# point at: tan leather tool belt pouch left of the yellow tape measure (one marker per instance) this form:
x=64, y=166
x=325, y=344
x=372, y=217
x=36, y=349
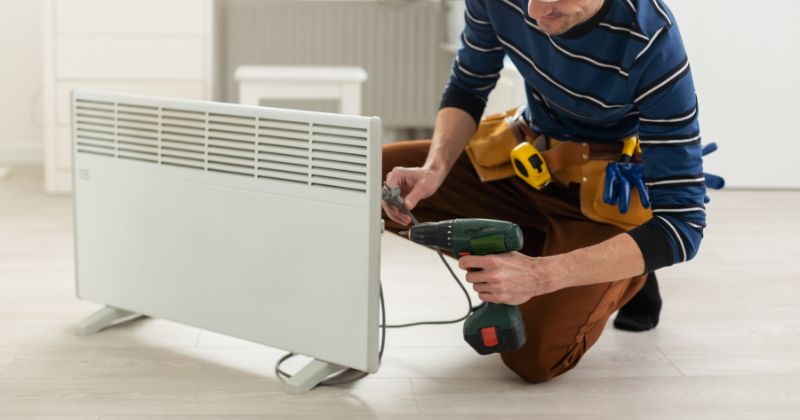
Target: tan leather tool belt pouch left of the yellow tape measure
x=489, y=148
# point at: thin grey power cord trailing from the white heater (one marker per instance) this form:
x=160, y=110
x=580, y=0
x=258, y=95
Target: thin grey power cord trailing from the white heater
x=391, y=196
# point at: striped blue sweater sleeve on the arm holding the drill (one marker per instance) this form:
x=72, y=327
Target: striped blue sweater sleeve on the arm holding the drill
x=671, y=153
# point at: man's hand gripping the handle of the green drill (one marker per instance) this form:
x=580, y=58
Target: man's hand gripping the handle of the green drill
x=511, y=278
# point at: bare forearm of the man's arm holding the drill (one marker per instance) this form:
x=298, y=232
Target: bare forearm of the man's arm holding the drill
x=614, y=259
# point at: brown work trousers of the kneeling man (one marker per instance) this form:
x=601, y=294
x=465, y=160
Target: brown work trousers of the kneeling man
x=563, y=325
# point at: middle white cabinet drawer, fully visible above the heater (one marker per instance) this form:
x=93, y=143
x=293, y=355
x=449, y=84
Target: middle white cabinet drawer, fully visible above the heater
x=130, y=58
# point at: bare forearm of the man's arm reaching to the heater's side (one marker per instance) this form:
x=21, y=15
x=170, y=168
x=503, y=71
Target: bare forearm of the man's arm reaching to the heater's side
x=453, y=129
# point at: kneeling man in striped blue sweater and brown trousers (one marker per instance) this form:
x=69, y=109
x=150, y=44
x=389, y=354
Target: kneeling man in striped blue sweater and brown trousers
x=596, y=72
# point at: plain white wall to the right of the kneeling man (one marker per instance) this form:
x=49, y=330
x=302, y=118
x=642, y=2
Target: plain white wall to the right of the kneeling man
x=745, y=57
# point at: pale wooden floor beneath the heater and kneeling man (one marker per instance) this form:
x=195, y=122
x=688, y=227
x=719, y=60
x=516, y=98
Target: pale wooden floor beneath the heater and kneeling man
x=728, y=346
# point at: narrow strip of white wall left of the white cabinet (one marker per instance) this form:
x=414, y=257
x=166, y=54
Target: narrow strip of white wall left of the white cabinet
x=20, y=80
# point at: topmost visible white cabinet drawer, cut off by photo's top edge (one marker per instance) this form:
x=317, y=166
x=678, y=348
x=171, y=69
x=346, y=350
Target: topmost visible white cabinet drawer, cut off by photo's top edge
x=144, y=17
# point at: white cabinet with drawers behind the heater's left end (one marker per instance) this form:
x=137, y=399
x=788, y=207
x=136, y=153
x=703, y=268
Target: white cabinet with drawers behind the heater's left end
x=150, y=47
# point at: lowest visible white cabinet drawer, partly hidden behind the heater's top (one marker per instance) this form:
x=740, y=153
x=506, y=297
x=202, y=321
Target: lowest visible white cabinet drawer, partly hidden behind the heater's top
x=186, y=90
